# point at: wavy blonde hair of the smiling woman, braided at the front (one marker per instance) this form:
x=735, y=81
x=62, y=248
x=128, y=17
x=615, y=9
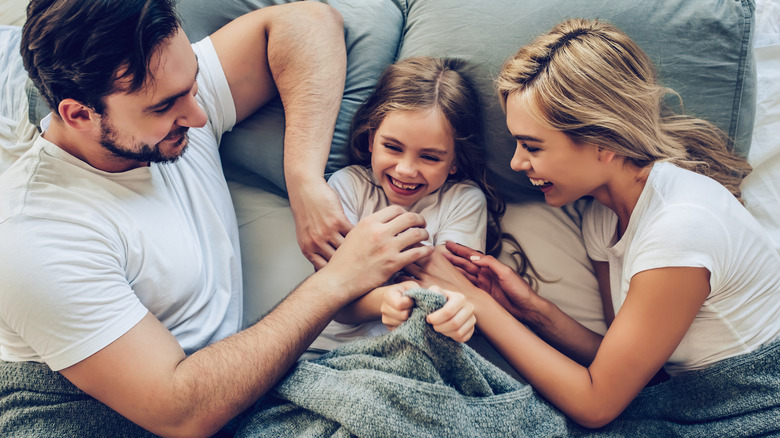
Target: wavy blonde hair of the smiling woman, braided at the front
x=589, y=80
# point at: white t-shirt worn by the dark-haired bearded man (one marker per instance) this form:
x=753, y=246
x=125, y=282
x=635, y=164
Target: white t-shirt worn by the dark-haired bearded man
x=86, y=253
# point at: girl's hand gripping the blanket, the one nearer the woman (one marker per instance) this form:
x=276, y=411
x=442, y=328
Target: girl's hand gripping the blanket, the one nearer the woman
x=456, y=318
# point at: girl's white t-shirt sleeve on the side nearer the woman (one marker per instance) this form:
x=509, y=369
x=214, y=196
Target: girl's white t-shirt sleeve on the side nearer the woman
x=464, y=217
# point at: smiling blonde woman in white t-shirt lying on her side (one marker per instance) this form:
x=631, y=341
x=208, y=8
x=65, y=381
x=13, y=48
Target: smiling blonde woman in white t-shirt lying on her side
x=689, y=279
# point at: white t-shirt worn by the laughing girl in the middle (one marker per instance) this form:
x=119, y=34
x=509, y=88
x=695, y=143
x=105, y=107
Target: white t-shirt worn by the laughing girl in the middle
x=456, y=212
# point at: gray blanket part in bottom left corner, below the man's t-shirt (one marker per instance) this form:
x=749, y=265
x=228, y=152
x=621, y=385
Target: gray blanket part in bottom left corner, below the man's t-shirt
x=38, y=402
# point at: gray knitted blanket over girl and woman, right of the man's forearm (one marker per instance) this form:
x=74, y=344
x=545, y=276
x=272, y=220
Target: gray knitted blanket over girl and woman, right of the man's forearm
x=415, y=382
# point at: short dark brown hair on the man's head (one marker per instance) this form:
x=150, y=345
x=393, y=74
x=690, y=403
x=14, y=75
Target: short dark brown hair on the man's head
x=76, y=48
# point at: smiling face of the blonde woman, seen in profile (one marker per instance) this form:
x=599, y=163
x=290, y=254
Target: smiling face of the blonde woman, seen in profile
x=562, y=169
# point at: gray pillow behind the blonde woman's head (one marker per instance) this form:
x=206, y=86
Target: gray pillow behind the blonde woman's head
x=702, y=49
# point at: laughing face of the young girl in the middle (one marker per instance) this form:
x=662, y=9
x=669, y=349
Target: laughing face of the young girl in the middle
x=412, y=154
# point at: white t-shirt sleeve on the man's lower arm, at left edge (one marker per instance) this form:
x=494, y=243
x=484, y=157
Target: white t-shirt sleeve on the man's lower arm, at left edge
x=53, y=286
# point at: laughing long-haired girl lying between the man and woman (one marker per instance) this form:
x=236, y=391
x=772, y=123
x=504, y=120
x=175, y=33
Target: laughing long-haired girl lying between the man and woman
x=416, y=142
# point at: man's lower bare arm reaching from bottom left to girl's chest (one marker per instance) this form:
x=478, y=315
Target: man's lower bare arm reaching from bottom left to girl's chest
x=145, y=376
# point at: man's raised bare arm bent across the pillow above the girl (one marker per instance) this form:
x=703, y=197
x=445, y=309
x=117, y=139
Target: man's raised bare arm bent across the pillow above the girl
x=298, y=50
